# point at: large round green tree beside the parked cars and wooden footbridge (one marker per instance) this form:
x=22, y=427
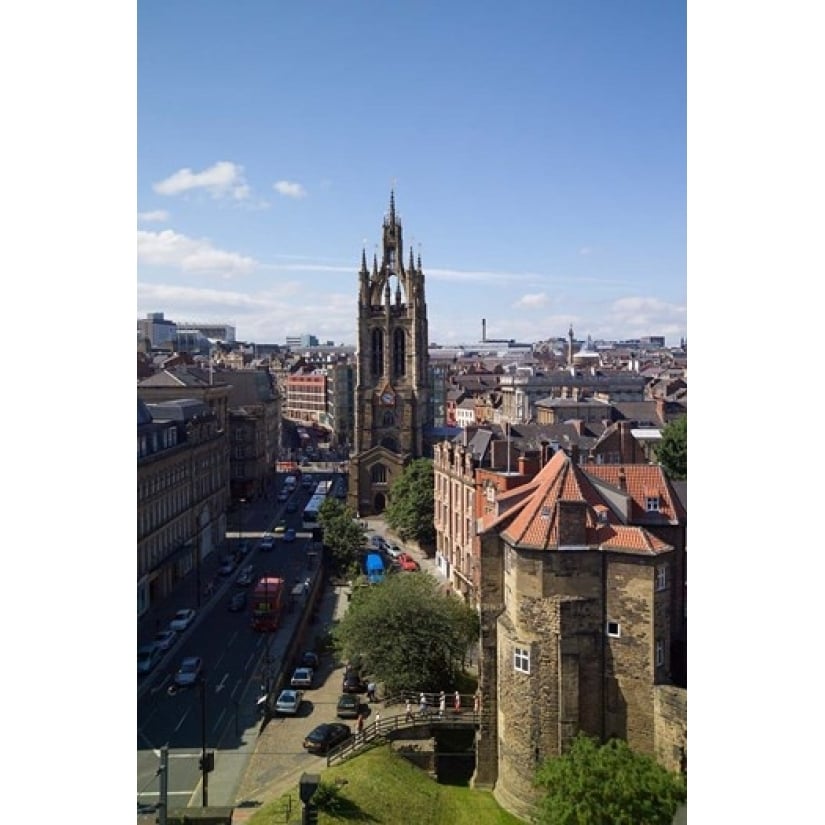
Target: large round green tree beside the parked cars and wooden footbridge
x=407, y=632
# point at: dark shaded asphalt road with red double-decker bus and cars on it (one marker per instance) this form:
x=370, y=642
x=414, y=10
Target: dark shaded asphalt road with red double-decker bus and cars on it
x=235, y=658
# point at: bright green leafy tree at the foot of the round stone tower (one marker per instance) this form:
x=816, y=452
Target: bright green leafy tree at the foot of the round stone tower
x=607, y=785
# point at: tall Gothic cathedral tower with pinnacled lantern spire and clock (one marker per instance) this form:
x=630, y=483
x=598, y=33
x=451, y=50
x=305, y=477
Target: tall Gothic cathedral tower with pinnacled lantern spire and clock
x=392, y=378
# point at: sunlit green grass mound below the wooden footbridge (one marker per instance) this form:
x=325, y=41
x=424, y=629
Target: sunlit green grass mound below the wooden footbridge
x=383, y=787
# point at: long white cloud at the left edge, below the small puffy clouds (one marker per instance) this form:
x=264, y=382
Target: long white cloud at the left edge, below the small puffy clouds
x=191, y=255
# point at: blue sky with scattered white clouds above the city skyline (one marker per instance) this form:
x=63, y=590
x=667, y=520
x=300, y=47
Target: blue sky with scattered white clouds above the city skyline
x=537, y=152
